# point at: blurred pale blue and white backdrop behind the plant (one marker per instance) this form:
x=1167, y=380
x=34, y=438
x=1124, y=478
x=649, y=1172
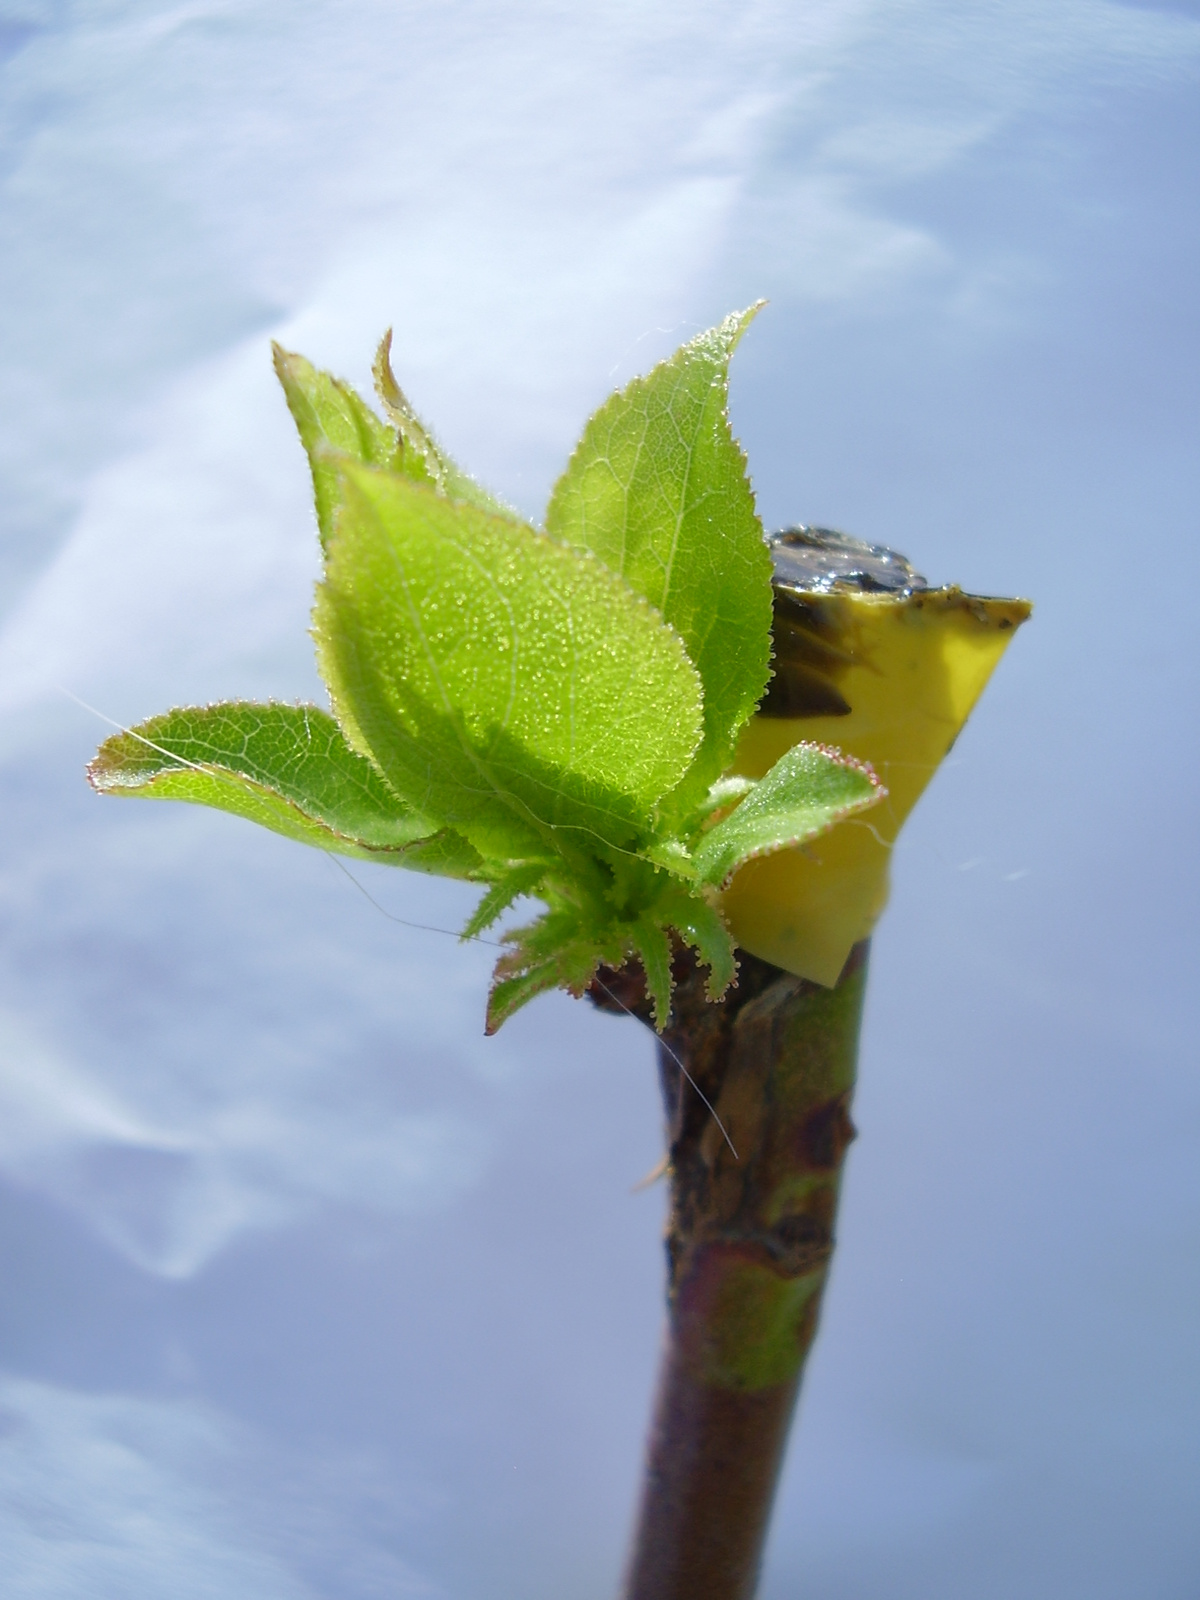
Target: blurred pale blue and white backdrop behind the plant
x=308, y=1290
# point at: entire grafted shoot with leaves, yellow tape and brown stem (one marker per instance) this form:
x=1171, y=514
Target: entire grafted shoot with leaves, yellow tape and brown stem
x=695, y=748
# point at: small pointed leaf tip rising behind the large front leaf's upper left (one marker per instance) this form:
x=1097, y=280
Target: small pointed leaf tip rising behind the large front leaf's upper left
x=332, y=422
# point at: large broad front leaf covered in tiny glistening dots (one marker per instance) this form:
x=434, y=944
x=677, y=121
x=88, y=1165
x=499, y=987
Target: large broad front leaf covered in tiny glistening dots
x=506, y=686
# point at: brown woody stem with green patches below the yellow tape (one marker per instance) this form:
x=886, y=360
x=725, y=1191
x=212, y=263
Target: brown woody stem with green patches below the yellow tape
x=748, y=1252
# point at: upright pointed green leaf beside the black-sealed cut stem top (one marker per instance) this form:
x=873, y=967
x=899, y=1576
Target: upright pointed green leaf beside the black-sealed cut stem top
x=658, y=490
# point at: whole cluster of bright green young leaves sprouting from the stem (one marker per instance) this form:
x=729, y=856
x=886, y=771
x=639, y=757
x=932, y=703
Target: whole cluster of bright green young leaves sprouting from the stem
x=546, y=713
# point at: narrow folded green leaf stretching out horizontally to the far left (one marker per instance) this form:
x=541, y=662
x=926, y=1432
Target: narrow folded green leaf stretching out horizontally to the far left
x=286, y=767
